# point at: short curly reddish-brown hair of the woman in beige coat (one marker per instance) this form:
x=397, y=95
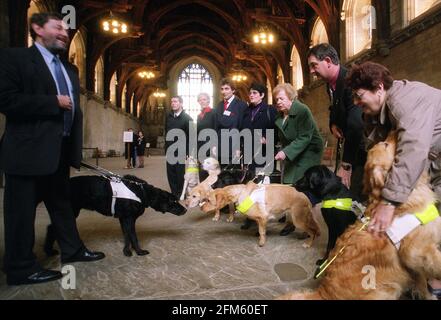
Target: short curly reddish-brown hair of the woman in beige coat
x=369, y=75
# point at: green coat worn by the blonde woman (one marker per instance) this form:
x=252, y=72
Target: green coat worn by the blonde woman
x=301, y=142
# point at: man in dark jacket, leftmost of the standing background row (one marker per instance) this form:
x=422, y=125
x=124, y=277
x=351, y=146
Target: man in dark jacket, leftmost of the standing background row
x=177, y=119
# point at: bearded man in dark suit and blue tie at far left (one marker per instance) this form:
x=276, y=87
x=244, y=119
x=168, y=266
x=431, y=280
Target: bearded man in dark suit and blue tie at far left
x=39, y=95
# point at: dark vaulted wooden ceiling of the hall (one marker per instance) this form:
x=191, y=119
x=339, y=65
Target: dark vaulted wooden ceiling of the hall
x=163, y=32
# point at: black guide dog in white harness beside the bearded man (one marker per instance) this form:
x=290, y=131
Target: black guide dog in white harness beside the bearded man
x=95, y=193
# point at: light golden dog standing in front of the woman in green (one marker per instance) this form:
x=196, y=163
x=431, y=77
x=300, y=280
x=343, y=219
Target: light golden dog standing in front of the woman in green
x=277, y=201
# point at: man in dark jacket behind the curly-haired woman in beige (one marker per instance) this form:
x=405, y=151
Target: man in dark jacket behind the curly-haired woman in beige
x=345, y=120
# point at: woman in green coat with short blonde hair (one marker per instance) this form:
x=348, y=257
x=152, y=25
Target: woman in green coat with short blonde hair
x=301, y=142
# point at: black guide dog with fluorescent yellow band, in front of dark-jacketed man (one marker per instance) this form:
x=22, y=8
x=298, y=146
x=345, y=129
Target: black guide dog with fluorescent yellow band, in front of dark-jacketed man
x=319, y=184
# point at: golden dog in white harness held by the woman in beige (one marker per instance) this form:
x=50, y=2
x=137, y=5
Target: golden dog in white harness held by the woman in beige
x=419, y=249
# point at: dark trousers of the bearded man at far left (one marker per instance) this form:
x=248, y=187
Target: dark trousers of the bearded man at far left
x=22, y=195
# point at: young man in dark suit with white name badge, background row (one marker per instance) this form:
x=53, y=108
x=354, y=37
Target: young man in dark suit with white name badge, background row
x=229, y=115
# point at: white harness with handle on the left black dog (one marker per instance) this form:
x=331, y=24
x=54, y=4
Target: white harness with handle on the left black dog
x=119, y=189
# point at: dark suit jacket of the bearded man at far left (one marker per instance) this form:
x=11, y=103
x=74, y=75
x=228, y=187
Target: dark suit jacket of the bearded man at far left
x=31, y=144
